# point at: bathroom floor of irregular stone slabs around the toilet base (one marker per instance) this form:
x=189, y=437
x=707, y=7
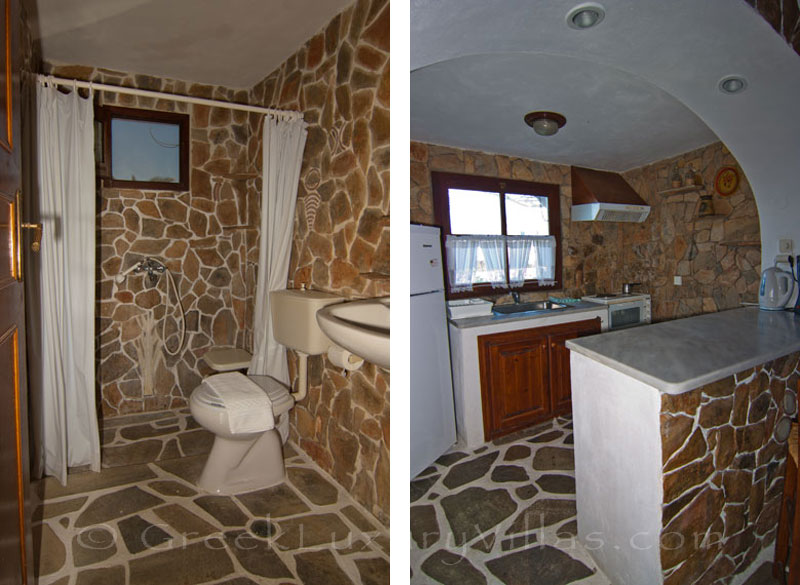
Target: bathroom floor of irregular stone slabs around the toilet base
x=147, y=524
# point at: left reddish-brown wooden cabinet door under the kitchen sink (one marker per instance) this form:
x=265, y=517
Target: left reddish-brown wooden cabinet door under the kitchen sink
x=514, y=380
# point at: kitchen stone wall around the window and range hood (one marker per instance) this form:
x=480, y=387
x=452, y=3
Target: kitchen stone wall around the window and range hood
x=718, y=257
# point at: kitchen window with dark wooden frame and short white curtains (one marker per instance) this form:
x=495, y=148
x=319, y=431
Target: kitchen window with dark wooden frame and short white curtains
x=500, y=235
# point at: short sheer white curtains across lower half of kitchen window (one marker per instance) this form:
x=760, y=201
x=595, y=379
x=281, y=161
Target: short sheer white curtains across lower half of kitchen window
x=472, y=259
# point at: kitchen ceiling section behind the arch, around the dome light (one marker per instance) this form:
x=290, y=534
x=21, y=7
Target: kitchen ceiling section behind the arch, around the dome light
x=615, y=121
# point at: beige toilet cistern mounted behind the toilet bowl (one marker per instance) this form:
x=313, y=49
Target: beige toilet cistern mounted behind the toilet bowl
x=294, y=319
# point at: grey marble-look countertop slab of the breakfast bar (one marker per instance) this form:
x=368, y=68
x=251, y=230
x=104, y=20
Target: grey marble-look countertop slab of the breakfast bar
x=676, y=356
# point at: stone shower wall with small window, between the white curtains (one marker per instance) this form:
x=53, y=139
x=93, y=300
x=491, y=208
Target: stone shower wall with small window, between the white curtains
x=194, y=232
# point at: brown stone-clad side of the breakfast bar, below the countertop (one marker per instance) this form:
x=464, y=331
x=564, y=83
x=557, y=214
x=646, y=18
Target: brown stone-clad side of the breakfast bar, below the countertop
x=723, y=473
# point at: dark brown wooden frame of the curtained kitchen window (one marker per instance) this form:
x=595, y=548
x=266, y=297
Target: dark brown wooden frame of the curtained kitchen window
x=443, y=182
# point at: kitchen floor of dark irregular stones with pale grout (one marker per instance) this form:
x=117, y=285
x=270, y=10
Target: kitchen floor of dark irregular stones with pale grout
x=505, y=513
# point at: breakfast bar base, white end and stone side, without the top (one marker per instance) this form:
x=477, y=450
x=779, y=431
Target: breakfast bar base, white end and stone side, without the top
x=679, y=489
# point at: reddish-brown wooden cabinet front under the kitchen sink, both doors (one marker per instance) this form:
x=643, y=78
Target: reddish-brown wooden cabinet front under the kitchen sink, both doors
x=525, y=375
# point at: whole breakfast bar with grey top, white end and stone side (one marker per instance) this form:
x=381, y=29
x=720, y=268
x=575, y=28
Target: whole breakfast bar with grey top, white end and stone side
x=679, y=451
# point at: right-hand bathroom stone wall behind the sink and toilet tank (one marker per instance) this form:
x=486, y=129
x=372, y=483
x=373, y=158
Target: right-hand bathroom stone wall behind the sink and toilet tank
x=340, y=80
